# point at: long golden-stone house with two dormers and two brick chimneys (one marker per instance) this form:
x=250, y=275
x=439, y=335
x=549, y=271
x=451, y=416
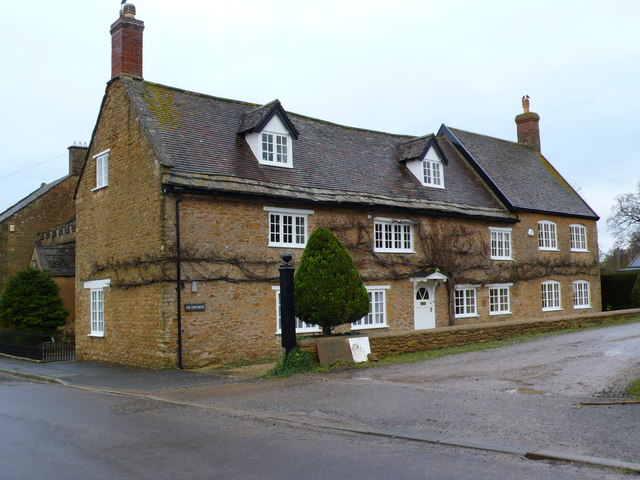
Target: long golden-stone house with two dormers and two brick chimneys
x=187, y=201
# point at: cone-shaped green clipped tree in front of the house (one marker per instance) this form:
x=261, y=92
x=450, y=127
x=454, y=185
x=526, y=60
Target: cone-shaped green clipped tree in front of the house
x=328, y=290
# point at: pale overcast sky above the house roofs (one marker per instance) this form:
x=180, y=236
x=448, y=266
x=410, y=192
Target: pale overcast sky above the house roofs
x=401, y=66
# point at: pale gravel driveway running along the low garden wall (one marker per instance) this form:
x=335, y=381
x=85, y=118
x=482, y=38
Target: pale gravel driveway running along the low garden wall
x=527, y=393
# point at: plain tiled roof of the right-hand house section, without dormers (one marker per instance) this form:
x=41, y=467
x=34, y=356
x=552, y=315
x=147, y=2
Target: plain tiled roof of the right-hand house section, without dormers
x=523, y=176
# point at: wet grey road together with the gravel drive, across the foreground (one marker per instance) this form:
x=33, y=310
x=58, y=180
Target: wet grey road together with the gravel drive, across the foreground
x=523, y=393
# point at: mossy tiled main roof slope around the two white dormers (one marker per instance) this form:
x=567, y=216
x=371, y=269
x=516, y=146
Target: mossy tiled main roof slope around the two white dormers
x=197, y=134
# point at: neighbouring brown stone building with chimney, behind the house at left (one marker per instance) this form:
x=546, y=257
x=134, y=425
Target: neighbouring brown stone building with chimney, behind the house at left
x=49, y=206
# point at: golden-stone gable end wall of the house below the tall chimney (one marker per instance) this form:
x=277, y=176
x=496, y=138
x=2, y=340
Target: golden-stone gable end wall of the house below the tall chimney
x=119, y=236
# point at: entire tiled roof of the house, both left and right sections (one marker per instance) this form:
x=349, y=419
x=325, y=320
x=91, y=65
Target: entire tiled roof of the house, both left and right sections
x=196, y=134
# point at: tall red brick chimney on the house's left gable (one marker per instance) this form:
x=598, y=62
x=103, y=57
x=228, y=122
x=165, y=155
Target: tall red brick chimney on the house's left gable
x=126, y=43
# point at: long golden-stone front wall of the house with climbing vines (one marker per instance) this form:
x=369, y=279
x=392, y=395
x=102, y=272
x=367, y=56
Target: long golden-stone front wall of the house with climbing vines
x=230, y=269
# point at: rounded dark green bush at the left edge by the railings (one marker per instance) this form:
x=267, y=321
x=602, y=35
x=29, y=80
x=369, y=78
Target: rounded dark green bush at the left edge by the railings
x=30, y=302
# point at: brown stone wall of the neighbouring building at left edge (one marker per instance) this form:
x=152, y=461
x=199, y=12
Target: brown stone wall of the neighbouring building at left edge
x=51, y=209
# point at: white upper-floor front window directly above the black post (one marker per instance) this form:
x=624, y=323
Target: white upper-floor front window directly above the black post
x=288, y=227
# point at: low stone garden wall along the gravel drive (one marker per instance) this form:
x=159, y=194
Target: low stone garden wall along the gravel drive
x=407, y=341
